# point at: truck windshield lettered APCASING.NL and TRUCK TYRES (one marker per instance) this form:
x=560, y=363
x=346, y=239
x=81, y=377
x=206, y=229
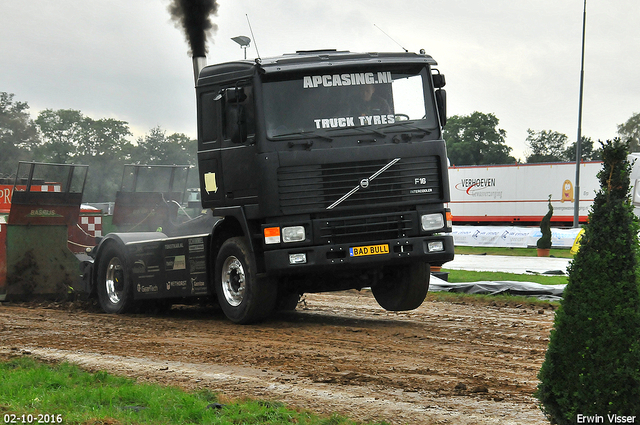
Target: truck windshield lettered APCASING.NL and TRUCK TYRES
x=351, y=101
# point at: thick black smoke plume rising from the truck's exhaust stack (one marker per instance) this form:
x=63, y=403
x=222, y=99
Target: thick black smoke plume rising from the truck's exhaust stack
x=194, y=17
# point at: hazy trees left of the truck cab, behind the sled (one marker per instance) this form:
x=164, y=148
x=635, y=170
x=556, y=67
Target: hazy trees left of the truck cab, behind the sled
x=67, y=136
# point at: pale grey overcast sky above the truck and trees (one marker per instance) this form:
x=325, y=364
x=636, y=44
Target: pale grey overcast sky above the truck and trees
x=518, y=59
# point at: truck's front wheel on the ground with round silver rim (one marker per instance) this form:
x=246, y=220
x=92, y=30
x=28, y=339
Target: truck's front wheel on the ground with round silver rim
x=243, y=296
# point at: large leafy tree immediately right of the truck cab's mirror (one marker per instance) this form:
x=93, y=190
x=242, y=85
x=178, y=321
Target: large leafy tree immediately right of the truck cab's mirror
x=476, y=139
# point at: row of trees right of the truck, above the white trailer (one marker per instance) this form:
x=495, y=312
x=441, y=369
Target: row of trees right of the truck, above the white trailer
x=476, y=139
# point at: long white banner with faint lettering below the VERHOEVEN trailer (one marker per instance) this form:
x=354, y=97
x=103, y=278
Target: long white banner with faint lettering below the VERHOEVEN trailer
x=510, y=236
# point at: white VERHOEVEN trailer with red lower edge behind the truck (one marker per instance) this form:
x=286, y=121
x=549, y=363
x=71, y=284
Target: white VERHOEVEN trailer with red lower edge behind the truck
x=518, y=193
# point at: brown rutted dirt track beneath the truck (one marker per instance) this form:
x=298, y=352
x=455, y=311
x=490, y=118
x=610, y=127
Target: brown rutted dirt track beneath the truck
x=441, y=364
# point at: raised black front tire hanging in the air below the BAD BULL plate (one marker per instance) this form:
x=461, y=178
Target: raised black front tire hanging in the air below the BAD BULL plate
x=403, y=287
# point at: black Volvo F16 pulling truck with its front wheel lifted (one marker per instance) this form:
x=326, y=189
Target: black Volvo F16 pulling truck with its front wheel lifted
x=319, y=171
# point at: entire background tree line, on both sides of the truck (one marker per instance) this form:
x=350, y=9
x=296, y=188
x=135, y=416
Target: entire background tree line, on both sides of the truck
x=67, y=136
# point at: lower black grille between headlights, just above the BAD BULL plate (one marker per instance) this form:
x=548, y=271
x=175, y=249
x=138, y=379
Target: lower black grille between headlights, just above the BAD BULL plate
x=367, y=228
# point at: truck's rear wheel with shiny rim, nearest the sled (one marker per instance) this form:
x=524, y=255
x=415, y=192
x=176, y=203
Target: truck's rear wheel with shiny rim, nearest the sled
x=115, y=293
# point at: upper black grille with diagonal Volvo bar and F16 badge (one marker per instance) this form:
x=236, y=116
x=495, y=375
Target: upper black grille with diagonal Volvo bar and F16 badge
x=309, y=188
